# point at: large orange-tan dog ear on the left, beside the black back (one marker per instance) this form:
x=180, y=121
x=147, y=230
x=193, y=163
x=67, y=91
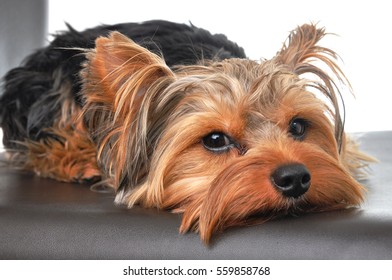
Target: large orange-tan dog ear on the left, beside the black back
x=122, y=84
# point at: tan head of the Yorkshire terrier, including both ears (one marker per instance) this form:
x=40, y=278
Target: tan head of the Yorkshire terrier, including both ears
x=223, y=142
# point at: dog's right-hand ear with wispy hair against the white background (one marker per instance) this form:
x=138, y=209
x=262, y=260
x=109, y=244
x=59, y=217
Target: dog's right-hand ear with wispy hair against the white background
x=302, y=54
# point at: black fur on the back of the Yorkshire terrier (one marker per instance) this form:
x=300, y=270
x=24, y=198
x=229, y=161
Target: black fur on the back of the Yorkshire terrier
x=30, y=99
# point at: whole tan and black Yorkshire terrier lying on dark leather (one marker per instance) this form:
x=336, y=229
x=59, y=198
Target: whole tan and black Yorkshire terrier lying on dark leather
x=173, y=117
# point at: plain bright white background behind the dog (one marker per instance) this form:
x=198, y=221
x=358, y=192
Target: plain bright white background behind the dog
x=260, y=27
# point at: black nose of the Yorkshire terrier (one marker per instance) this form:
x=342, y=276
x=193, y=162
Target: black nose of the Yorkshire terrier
x=293, y=180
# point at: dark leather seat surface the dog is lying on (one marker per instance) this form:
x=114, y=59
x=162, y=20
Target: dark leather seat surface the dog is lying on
x=45, y=219
